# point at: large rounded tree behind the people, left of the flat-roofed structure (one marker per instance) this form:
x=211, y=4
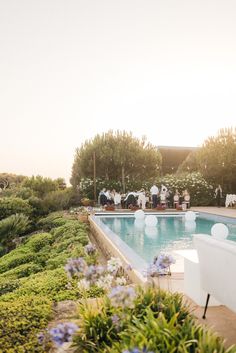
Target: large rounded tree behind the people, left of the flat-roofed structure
x=119, y=155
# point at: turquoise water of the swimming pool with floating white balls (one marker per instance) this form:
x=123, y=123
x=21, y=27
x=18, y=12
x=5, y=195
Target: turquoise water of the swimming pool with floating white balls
x=171, y=233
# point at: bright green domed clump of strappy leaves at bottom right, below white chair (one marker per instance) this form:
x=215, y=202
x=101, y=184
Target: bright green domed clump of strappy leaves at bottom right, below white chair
x=158, y=334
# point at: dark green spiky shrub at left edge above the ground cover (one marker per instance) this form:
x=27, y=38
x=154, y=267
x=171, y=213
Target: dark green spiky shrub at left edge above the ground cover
x=11, y=228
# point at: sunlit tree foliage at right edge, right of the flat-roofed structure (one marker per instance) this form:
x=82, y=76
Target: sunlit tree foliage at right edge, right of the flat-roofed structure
x=216, y=159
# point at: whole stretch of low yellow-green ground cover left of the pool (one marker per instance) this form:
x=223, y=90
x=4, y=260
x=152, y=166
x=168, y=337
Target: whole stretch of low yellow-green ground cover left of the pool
x=32, y=278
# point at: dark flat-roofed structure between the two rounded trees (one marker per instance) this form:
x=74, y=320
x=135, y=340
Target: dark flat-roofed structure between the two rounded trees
x=173, y=156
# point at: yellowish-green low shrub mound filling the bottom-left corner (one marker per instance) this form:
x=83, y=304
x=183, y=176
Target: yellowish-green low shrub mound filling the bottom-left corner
x=20, y=321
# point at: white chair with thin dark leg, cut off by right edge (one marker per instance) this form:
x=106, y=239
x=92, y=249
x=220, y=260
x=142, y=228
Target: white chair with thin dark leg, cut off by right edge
x=217, y=261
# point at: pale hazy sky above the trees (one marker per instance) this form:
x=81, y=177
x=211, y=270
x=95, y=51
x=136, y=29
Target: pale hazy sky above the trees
x=71, y=69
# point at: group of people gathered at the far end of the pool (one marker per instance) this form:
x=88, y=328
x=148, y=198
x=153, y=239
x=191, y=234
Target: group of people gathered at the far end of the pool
x=159, y=197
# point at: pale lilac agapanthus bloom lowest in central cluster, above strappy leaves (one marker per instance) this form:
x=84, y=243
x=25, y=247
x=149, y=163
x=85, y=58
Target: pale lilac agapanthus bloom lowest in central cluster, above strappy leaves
x=122, y=296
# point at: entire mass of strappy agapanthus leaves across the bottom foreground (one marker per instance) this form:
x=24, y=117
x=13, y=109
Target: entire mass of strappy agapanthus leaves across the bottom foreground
x=158, y=321
